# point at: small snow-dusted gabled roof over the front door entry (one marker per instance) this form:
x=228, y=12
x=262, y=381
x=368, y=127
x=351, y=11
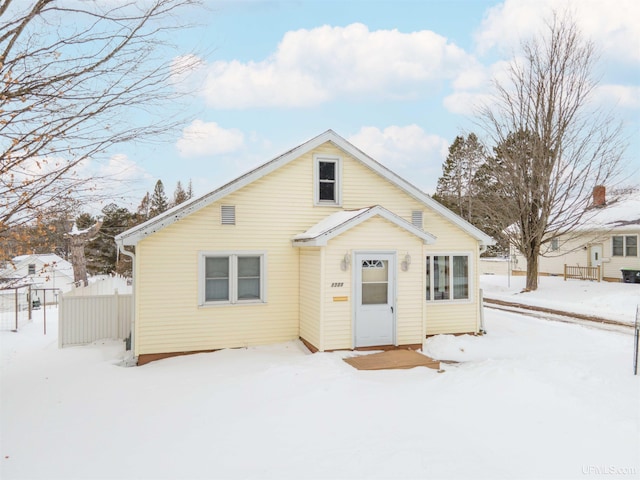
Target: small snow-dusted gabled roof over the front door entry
x=340, y=222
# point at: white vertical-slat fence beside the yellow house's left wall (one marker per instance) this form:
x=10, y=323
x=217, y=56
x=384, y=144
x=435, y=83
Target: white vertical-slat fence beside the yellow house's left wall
x=85, y=319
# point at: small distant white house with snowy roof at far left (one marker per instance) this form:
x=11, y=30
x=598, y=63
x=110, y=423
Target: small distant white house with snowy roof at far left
x=39, y=270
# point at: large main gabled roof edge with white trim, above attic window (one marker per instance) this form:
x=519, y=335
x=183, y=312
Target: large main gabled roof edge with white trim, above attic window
x=137, y=233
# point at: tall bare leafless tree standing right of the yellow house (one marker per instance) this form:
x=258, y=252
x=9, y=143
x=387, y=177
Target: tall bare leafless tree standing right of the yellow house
x=554, y=145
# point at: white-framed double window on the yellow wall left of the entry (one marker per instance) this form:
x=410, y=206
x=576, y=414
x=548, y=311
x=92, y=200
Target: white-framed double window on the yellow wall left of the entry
x=231, y=278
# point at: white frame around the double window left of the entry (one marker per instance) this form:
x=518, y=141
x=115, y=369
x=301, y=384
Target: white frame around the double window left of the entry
x=233, y=277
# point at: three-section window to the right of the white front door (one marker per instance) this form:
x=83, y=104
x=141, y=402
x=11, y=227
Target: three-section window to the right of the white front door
x=447, y=277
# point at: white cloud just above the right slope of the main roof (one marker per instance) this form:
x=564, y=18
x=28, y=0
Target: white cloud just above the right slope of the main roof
x=409, y=151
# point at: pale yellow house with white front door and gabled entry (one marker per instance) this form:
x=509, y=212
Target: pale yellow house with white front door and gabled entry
x=322, y=243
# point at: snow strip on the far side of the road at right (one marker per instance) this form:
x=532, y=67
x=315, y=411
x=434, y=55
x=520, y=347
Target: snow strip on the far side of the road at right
x=614, y=301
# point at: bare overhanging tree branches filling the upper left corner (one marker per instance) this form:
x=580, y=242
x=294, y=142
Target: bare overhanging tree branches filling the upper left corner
x=76, y=79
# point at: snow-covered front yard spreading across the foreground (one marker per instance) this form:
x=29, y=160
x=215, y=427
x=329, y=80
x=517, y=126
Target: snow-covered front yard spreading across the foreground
x=531, y=399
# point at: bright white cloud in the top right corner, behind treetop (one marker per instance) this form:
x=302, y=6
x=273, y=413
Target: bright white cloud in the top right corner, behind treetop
x=611, y=25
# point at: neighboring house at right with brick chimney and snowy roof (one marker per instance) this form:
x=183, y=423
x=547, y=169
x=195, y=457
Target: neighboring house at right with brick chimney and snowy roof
x=608, y=236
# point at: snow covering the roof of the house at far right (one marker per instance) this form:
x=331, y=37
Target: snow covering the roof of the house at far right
x=622, y=213
